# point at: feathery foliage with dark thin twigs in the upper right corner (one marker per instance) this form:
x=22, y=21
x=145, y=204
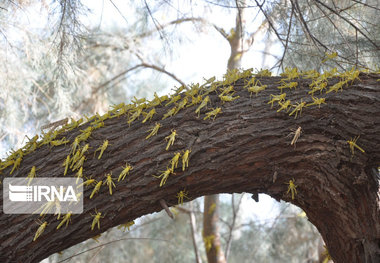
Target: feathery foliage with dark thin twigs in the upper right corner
x=337, y=34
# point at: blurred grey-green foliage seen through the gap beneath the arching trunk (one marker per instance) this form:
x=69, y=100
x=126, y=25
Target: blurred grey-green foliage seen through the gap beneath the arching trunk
x=286, y=236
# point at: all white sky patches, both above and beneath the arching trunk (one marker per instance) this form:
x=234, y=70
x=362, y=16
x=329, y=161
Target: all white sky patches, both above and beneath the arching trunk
x=201, y=55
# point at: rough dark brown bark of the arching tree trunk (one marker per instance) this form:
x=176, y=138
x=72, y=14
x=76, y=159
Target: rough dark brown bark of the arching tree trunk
x=245, y=149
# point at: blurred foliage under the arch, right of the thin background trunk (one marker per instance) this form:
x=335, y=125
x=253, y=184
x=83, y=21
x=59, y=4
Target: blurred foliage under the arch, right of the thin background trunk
x=285, y=237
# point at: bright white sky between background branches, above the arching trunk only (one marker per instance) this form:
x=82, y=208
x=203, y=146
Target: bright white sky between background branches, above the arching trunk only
x=205, y=54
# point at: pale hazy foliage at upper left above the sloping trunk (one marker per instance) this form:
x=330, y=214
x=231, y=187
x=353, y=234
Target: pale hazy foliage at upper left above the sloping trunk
x=50, y=74
